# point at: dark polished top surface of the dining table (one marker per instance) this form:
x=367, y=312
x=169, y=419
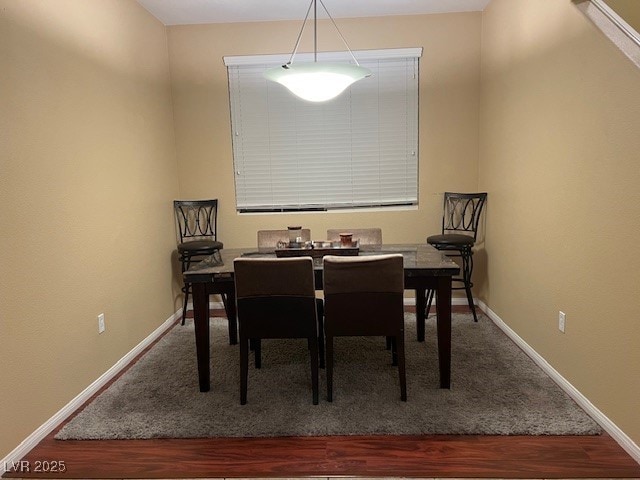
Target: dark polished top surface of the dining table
x=419, y=260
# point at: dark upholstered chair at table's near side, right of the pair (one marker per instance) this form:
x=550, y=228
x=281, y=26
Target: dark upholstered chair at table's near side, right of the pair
x=364, y=297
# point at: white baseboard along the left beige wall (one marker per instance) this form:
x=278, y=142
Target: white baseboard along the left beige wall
x=45, y=429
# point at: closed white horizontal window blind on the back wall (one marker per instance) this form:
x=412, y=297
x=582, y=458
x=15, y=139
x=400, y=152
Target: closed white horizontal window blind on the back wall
x=357, y=150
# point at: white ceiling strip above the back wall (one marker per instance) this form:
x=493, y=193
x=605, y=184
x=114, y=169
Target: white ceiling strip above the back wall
x=184, y=12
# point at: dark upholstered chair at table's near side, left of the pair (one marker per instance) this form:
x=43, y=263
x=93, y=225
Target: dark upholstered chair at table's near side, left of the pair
x=276, y=298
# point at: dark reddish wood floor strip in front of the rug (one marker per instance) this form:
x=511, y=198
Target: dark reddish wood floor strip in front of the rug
x=356, y=456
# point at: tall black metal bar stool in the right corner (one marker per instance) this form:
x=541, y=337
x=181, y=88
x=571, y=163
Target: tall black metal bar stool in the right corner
x=460, y=220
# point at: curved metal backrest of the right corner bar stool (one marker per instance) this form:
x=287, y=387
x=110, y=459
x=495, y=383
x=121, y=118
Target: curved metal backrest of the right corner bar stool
x=461, y=212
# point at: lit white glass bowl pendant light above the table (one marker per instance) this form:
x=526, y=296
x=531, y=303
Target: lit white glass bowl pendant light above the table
x=317, y=81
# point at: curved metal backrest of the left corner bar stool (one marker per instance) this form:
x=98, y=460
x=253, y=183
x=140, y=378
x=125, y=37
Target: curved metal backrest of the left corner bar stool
x=196, y=219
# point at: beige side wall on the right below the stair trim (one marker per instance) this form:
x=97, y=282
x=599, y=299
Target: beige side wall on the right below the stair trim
x=560, y=116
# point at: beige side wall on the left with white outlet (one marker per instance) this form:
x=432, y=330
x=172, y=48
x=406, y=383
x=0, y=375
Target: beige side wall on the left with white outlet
x=87, y=174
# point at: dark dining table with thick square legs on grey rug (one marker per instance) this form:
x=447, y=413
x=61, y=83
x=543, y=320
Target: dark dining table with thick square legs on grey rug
x=425, y=268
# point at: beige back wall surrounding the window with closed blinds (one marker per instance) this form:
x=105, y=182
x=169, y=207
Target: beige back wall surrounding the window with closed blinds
x=449, y=90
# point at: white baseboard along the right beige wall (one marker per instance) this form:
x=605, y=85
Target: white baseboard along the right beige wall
x=611, y=428
